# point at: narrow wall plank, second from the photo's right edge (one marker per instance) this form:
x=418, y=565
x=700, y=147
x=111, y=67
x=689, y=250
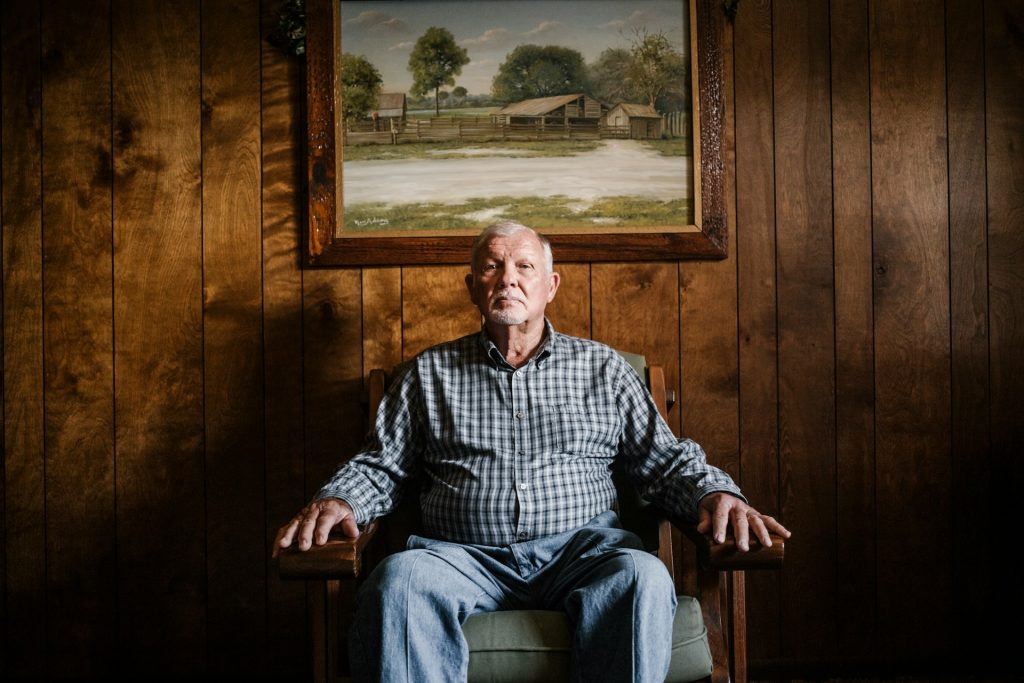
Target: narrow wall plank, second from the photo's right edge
x=969, y=318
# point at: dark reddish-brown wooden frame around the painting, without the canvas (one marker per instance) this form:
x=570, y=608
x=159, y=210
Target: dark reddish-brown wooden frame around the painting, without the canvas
x=706, y=239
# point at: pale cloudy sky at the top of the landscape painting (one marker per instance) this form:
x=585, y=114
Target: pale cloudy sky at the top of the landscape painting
x=385, y=32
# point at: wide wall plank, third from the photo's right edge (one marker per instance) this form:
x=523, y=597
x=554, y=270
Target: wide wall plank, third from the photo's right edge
x=912, y=328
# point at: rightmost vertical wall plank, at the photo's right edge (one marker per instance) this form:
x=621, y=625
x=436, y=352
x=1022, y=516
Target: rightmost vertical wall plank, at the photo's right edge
x=1005, y=127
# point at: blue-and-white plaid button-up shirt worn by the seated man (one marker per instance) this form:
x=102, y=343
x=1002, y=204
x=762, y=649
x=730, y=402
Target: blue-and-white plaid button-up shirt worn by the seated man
x=516, y=454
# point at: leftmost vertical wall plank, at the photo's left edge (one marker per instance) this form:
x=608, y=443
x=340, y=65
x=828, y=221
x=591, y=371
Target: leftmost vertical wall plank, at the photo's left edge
x=24, y=571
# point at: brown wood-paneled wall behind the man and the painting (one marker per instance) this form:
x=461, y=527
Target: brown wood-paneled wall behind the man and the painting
x=176, y=387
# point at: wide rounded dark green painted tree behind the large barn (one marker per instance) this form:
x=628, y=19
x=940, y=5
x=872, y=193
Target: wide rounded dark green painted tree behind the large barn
x=532, y=71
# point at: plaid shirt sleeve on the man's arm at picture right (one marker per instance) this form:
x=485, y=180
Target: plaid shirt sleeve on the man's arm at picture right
x=671, y=473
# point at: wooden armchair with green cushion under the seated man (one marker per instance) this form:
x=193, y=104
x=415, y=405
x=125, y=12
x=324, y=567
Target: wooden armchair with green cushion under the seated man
x=709, y=636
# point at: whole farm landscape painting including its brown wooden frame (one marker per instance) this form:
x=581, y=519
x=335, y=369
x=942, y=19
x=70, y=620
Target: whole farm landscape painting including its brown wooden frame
x=598, y=122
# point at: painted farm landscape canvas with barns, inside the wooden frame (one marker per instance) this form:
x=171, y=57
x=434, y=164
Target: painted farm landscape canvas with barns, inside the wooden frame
x=571, y=116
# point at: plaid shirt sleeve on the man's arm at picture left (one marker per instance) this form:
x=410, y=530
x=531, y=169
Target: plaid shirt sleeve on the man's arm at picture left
x=374, y=481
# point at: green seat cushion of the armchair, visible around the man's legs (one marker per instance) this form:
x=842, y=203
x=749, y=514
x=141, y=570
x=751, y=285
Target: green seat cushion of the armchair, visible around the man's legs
x=535, y=646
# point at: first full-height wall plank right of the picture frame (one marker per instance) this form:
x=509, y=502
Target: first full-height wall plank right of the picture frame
x=755, y=253
